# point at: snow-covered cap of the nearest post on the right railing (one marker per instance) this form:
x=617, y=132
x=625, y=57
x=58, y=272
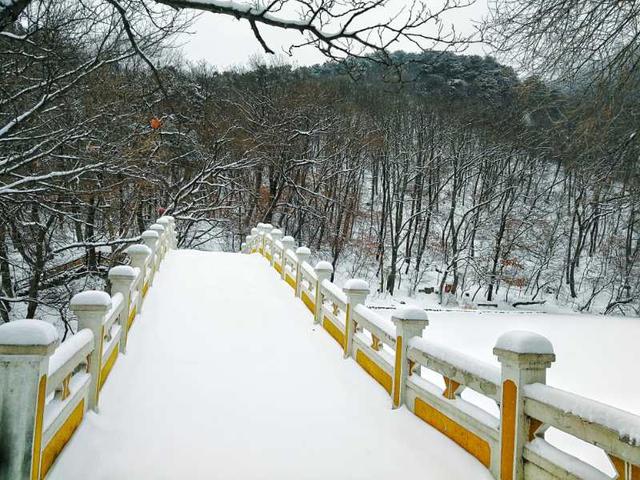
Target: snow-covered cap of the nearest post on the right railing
x=524, y=347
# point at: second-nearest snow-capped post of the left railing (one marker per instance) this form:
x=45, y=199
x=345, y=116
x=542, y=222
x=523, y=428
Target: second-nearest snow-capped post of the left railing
x=90, y=308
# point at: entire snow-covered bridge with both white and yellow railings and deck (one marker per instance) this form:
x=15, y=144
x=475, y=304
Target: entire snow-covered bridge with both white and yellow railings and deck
x=236, y=370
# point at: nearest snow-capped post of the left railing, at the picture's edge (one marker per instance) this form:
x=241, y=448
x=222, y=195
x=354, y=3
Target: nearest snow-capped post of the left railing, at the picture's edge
x=25, y=347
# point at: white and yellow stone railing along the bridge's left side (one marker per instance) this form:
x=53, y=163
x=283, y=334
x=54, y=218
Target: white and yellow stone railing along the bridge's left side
x=47, y=387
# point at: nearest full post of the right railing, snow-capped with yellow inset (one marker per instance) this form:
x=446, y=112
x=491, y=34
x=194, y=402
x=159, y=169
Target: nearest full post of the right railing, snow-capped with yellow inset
x=524, y=357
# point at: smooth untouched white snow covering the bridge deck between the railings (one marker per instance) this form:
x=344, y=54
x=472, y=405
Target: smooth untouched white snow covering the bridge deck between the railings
x=226, y=377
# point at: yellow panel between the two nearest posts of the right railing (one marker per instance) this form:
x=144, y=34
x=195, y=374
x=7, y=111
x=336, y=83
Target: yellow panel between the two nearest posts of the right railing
x=472, y=443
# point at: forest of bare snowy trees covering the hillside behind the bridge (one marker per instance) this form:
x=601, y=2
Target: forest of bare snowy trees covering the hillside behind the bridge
x=457, y=177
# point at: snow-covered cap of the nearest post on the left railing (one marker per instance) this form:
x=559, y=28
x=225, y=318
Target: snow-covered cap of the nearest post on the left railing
x=28, y=337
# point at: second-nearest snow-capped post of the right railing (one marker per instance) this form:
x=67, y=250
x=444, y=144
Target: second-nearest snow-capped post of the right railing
x=410, y=322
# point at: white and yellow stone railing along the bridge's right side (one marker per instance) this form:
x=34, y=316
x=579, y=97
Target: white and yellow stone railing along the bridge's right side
x=394, y=353
